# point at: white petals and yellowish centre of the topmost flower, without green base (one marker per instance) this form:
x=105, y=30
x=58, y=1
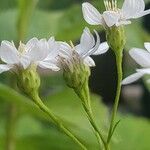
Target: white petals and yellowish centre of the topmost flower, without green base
x=131, y=9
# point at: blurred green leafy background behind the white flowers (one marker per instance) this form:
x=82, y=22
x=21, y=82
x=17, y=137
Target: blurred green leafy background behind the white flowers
x=23, y=126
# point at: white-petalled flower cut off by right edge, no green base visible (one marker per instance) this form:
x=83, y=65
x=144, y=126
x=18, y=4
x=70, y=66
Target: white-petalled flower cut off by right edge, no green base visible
x=142, y=57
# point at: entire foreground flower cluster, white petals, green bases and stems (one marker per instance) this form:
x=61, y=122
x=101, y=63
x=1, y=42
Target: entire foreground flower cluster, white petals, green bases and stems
x=75, y=61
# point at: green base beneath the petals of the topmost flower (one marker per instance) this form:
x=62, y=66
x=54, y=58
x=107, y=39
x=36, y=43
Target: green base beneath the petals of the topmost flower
x=116, y=38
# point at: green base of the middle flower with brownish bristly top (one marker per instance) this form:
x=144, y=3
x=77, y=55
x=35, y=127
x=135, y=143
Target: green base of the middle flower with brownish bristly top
x=76, y=73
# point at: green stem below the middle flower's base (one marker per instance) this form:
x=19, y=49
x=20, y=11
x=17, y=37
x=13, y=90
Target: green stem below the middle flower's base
x=84, y=95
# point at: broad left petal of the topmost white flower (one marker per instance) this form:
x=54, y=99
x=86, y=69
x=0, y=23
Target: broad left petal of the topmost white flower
x=91, y=14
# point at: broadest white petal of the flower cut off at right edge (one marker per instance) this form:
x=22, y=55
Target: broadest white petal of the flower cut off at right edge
x=141, y=56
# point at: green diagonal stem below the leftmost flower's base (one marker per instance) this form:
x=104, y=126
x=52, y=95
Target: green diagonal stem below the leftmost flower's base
x=57, y=122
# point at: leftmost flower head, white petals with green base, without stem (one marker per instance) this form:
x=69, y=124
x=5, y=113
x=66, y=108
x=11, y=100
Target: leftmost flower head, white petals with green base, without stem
x=26, y=59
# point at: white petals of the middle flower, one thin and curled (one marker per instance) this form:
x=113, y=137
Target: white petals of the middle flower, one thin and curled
x=81, y=52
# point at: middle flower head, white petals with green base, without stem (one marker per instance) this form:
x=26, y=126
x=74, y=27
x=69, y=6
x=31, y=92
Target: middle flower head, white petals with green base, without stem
x=76, y=60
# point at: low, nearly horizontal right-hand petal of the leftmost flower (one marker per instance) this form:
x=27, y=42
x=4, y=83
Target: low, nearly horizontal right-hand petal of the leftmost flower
x=47, y=65
